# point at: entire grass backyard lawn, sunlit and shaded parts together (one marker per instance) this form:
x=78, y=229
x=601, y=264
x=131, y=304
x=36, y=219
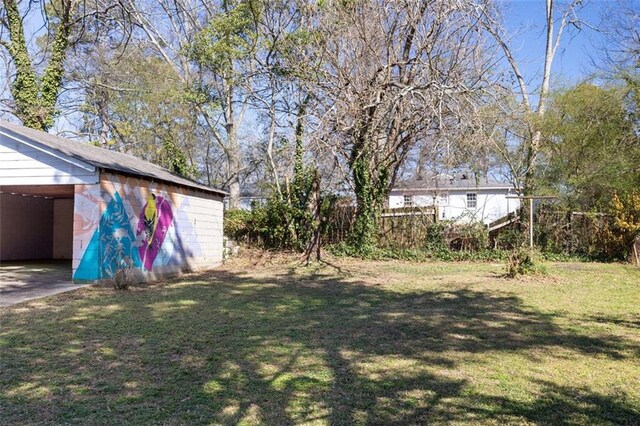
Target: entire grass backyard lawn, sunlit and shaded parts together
x=261, y=341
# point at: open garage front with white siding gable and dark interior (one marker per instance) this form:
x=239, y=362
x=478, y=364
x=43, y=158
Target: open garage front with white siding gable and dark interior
x=31, y=171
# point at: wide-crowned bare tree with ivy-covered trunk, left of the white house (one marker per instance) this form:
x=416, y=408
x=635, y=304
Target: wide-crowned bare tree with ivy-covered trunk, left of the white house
x=395, y=72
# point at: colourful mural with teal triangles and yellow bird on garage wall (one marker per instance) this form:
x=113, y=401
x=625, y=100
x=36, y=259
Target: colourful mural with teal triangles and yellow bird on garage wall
x=137, y=227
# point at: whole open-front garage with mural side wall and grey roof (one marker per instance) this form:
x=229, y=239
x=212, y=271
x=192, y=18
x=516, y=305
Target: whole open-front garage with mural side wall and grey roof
x=101, y=210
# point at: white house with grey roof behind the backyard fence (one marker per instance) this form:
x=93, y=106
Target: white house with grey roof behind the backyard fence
x=462, y=198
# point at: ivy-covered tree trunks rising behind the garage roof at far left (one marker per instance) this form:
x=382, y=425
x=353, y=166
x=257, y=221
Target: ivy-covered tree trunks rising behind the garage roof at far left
x=36, y=56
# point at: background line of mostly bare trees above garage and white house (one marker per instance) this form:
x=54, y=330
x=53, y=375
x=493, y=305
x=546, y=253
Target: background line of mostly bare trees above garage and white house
x=316, y=100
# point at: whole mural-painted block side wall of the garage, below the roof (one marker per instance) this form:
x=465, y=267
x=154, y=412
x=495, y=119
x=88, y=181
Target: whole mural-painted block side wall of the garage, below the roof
x=185, y=235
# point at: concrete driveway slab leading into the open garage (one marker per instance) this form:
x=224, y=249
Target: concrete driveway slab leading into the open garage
x=22, y=281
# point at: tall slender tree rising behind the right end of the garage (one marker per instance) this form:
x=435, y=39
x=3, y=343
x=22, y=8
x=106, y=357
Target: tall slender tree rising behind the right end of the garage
x=209, y=46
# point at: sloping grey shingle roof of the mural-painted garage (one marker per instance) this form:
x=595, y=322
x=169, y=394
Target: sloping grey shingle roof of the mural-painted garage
x=100, y=157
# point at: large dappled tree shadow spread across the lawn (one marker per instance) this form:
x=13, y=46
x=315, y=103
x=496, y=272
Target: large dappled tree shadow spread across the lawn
x=228, y=347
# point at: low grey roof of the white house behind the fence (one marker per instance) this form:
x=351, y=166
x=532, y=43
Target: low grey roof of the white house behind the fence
x=460, y=182
